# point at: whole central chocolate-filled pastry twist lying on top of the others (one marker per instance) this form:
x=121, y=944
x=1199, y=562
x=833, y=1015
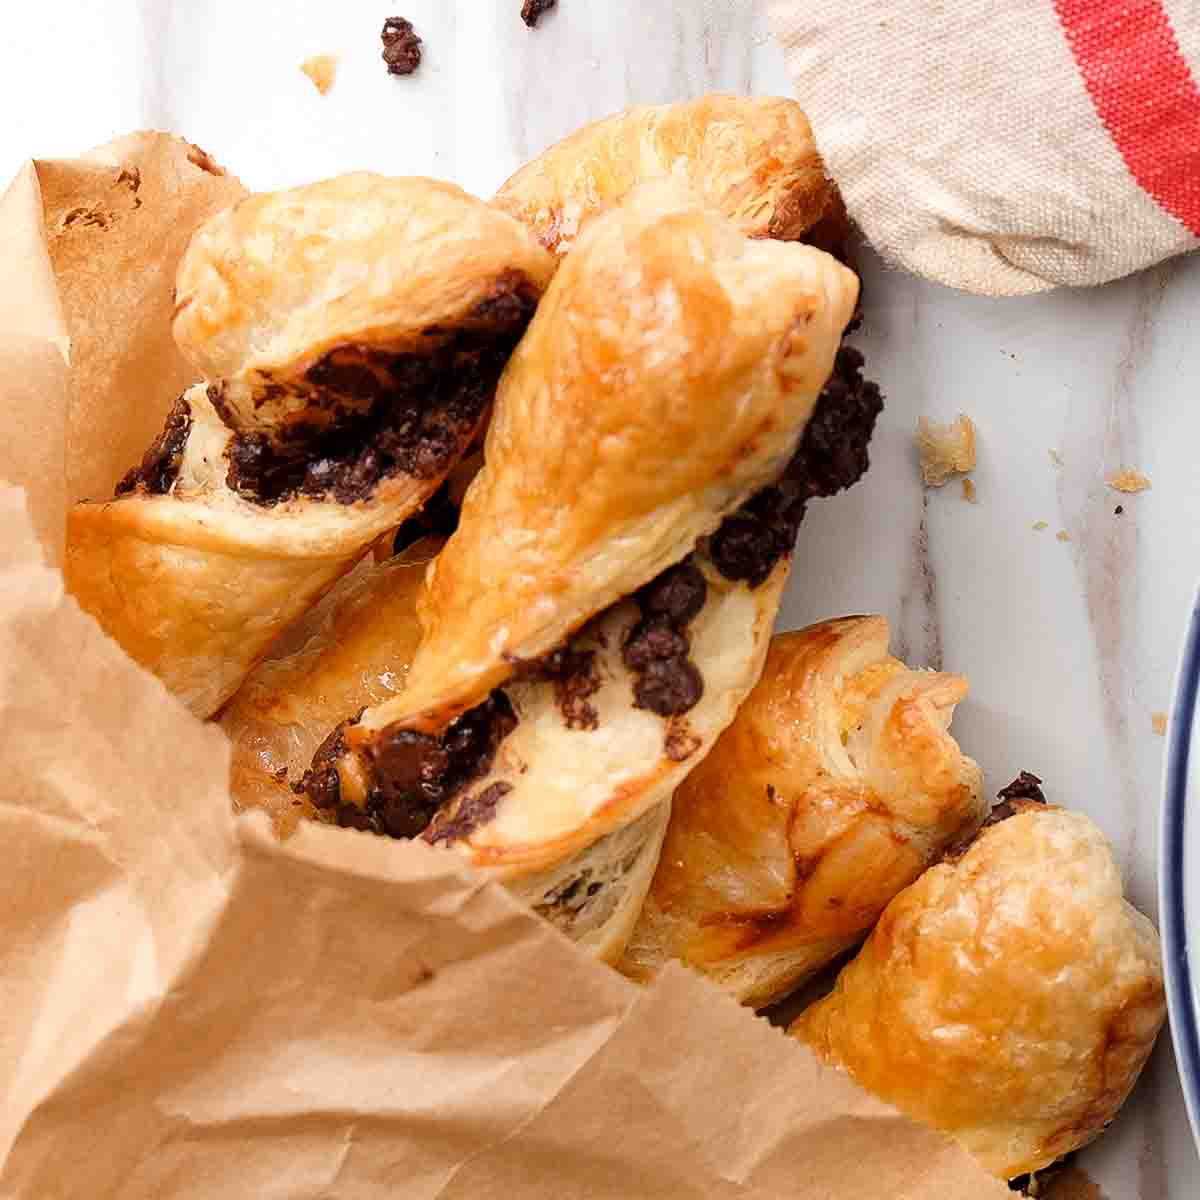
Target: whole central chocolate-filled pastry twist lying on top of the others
x=608, y=598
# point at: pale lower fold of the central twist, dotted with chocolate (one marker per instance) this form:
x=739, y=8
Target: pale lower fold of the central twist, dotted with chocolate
x=560, y=784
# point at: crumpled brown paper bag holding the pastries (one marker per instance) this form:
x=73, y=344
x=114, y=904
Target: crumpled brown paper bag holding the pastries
x=194, y=1010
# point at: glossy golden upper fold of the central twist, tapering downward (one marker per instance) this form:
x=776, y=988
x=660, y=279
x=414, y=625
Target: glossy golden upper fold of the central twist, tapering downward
x=667, y=377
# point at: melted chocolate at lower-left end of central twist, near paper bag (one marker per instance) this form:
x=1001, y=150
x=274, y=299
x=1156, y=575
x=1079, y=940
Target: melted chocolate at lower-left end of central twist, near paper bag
x=415, y=775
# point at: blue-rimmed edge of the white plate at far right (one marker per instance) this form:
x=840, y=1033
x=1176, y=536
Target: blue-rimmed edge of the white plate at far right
x=1181, y=997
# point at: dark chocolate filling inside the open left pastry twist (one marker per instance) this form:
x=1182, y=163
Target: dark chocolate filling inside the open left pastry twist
x=422, y=409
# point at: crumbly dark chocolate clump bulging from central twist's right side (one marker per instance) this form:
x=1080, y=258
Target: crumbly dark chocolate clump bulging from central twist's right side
x=832, y=455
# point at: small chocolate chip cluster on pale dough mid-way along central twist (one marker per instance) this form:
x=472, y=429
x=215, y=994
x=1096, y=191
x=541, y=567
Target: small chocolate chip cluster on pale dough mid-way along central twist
x=658, y=647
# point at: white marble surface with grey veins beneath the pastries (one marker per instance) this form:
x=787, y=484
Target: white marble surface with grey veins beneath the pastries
x=1070, y=646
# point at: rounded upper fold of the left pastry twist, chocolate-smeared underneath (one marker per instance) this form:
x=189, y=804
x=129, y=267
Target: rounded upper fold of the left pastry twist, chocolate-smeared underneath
x=311, y=304
